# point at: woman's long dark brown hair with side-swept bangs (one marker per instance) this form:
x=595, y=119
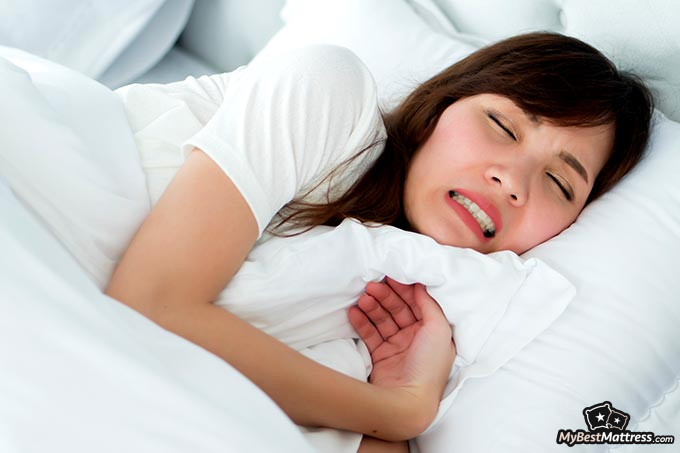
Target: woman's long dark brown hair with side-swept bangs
x=551, y=76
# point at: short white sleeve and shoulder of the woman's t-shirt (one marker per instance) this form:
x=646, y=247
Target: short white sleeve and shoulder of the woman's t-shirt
x=286, y=122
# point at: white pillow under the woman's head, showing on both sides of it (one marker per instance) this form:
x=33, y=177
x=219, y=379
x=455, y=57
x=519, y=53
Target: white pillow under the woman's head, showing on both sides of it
x=616, y=342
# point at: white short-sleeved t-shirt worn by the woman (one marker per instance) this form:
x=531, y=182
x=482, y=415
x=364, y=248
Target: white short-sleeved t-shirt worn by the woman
x=277, y=127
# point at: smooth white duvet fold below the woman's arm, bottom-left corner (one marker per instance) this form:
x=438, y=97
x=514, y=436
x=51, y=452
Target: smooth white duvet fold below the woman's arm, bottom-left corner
x=82, y=372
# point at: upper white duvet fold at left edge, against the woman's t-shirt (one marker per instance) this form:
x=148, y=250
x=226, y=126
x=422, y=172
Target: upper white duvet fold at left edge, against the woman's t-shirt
x=66, y=150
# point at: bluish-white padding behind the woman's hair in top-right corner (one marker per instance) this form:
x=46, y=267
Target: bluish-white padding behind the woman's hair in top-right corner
x=638, y=37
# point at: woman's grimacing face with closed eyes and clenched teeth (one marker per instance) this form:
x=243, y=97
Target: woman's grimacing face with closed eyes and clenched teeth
x=491, y=177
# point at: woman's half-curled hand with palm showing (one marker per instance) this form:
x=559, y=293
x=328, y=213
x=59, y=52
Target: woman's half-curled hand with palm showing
x=408, y=337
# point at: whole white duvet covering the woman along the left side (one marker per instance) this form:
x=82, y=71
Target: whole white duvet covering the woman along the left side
x=80, y=371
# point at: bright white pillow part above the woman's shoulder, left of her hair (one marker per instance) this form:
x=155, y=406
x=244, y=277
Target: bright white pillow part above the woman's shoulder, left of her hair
x=397, y=46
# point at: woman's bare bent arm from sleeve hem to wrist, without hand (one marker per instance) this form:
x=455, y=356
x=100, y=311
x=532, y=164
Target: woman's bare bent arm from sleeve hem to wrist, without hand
x=186, y=251
